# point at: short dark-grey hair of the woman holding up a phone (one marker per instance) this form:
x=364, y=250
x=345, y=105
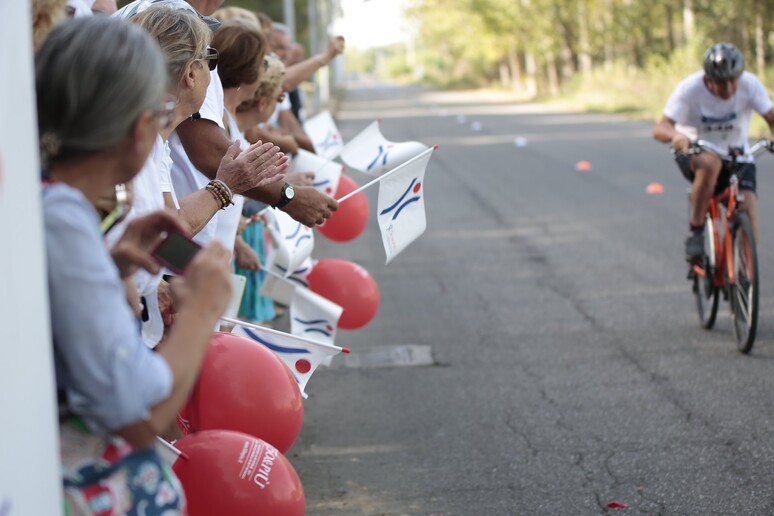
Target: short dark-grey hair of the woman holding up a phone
x=94, y=77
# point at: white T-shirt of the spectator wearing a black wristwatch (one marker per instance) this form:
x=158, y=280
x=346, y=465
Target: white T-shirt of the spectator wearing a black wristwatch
x=186, y=178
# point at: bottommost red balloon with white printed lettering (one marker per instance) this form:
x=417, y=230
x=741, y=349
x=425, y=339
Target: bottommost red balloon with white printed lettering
x=232, y=473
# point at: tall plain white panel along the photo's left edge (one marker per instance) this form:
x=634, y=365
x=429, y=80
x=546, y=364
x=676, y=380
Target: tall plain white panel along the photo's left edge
x=29, y=451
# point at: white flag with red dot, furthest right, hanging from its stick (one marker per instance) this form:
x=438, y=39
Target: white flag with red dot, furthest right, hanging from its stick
x=401, y=205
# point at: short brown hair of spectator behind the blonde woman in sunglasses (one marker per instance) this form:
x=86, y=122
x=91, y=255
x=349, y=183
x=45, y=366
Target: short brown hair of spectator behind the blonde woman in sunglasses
x=242, y=47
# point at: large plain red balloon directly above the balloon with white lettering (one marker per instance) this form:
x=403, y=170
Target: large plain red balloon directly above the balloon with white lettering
x=245, y=387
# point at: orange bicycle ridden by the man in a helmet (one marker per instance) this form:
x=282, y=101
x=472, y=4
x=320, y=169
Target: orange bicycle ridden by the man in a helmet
x=730, y=262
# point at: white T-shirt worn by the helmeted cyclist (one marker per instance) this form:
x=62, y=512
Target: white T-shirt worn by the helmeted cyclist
x=721, y=122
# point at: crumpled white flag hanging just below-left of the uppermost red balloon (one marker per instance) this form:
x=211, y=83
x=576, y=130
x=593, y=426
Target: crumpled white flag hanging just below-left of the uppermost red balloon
x=292, y=242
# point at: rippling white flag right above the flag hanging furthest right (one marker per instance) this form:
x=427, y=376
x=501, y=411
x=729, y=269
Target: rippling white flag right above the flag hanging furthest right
x=371, y=153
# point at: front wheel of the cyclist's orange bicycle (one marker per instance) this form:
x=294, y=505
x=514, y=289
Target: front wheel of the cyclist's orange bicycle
x=743, y=292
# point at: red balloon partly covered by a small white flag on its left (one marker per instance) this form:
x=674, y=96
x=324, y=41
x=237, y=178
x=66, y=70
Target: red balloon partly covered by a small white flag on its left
x=349, y=285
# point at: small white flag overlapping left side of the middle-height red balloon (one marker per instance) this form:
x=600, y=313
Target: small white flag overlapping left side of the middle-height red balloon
x=314, y=317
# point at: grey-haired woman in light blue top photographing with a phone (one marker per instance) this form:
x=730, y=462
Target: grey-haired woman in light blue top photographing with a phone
x=101, y=85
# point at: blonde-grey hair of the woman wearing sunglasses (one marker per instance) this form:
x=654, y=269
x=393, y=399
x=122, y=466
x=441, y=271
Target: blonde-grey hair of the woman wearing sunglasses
x=182, y=36
